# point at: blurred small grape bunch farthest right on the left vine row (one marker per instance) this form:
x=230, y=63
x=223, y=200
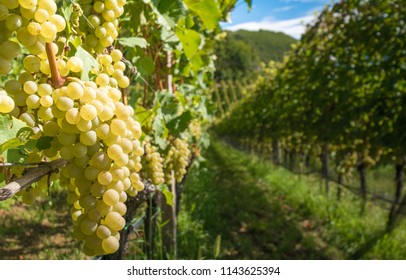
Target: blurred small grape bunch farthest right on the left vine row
x=177, y=159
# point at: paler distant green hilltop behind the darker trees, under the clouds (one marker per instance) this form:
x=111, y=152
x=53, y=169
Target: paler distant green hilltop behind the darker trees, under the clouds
x=268, y=45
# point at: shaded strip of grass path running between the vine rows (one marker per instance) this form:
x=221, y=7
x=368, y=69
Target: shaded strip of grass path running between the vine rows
x=254, y=221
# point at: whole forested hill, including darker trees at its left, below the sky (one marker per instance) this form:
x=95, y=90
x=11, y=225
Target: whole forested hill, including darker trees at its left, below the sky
x=241, y=52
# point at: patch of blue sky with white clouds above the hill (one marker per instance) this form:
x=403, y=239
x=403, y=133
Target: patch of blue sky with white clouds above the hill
x=288, y=16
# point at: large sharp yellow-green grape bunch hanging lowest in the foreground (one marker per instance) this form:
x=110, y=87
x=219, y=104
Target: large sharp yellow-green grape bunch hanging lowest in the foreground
x=97, y=135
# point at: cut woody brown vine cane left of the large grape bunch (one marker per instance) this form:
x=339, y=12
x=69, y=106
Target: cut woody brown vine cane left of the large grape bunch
x=31, y=176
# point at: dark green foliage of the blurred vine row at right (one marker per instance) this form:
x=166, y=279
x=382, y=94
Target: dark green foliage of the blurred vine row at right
x=339, y=97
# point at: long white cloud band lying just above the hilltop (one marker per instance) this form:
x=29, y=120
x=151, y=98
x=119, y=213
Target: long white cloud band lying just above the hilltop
x=293, y=27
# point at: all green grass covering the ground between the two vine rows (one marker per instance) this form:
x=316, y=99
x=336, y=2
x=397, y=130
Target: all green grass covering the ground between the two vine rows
x=266, y=212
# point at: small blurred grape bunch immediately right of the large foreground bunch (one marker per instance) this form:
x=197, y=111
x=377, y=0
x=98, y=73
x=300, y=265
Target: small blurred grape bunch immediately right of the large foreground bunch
x=152, y=163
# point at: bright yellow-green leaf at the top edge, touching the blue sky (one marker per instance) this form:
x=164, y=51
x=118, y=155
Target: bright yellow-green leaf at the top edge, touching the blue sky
x=207, y=10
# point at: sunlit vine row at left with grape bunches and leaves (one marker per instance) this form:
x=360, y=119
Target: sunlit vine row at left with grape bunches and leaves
x=108, y=99
